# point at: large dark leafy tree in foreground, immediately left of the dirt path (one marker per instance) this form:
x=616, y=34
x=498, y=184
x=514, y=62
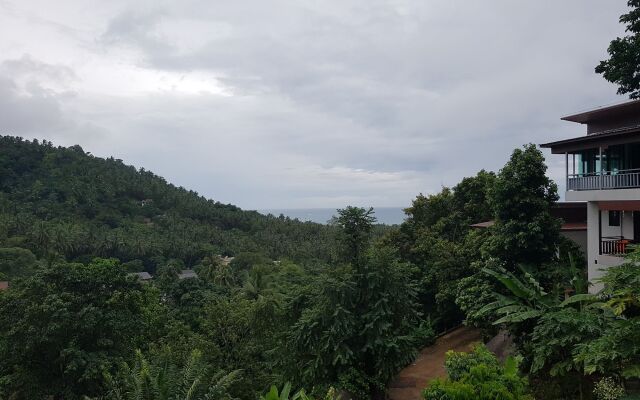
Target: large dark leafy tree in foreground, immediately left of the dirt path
x=362, y=319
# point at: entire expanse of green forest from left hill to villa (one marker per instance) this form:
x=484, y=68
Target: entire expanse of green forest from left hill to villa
x=335, y=309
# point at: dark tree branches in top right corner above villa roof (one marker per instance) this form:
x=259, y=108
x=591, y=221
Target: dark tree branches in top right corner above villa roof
x=623, y=65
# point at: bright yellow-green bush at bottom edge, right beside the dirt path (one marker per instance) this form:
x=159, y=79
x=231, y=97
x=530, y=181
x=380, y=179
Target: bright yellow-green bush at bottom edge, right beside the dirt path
x=479, y=376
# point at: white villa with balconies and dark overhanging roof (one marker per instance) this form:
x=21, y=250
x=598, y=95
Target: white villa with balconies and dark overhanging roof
x=603, y=170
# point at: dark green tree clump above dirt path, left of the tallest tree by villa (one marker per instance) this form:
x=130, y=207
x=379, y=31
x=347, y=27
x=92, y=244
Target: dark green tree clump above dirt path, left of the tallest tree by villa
x=438, y=240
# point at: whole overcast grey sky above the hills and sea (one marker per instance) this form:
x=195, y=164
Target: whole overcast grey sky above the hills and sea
x=294, y=104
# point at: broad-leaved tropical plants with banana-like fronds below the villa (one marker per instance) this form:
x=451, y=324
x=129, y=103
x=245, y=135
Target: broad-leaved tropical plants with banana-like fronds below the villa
x=580, y=335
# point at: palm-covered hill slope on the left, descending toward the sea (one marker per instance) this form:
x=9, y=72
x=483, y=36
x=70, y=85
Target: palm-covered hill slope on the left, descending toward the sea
x=66, y=202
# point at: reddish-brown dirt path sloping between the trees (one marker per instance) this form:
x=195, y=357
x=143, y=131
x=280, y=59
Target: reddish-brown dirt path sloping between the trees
x=430, y=364
